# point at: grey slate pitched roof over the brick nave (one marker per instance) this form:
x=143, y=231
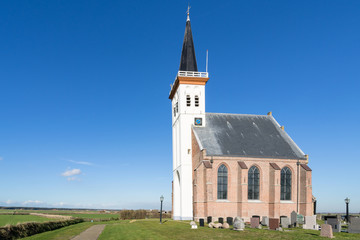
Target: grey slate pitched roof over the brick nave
x=245, y=135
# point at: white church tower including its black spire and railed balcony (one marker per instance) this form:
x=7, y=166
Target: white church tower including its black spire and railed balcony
x=188, y=108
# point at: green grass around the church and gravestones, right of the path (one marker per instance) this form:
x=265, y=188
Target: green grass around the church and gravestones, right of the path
x=151, y=229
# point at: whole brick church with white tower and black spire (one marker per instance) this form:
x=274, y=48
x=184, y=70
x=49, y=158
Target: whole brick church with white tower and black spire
x=228, y=165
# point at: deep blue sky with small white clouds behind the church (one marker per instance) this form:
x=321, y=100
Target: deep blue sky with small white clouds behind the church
x=85, y=119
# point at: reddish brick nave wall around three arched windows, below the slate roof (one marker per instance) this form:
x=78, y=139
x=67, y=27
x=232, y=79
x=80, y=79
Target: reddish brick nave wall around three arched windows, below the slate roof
x=205, y=202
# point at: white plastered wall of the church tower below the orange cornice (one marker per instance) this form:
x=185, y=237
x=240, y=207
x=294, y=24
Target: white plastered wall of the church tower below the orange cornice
x=182, y=162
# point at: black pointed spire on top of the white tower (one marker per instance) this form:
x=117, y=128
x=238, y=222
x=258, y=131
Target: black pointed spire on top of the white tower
x=188, y=59
